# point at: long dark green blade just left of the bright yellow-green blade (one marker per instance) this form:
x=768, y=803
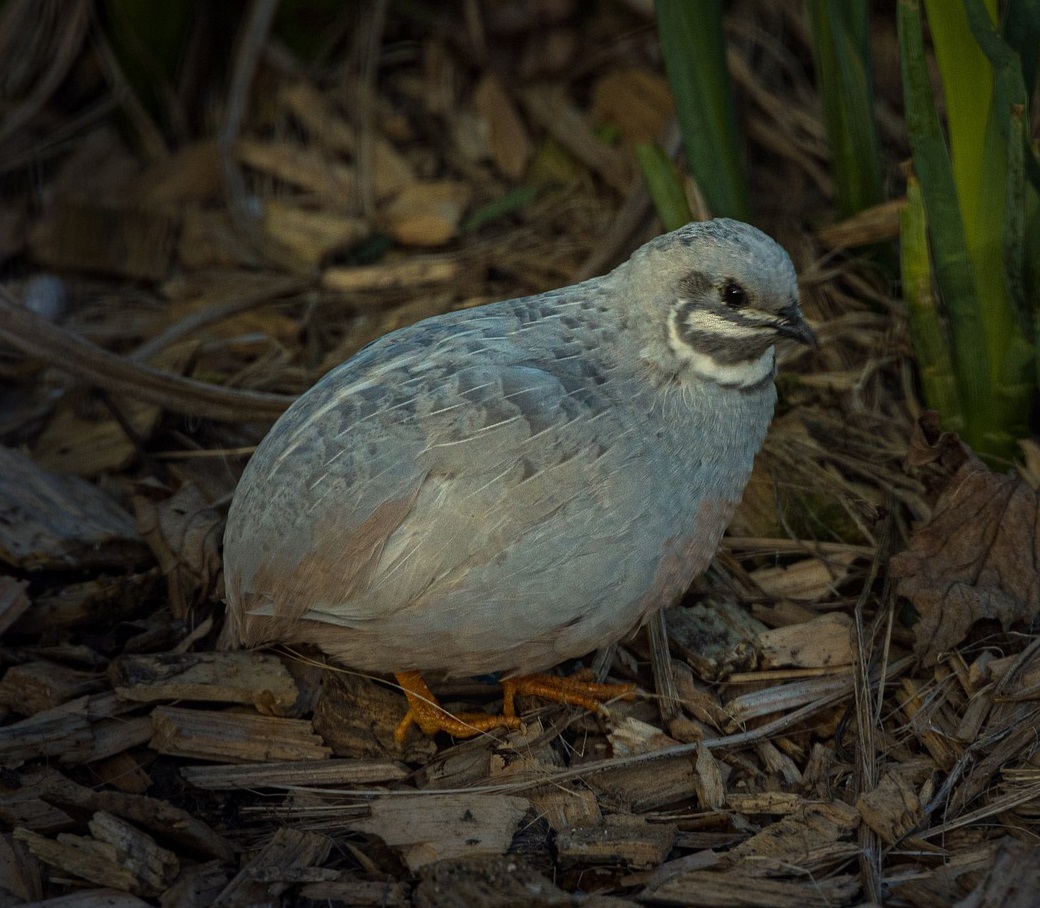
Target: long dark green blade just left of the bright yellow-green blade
x=953, y=267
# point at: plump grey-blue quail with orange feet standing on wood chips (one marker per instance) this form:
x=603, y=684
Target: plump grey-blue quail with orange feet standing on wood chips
x=504, y=488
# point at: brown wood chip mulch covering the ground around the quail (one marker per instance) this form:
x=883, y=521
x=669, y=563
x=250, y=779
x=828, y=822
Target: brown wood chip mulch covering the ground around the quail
x=844, y=712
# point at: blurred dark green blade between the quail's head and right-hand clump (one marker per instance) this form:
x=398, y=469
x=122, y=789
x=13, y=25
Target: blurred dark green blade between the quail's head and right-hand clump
x=842, y=51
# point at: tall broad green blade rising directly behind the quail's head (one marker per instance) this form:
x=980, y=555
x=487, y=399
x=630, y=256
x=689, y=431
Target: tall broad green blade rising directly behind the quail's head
x=694, y=48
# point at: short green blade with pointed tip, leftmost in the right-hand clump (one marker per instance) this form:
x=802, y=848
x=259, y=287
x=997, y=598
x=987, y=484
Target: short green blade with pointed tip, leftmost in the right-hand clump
x=931, y=350
